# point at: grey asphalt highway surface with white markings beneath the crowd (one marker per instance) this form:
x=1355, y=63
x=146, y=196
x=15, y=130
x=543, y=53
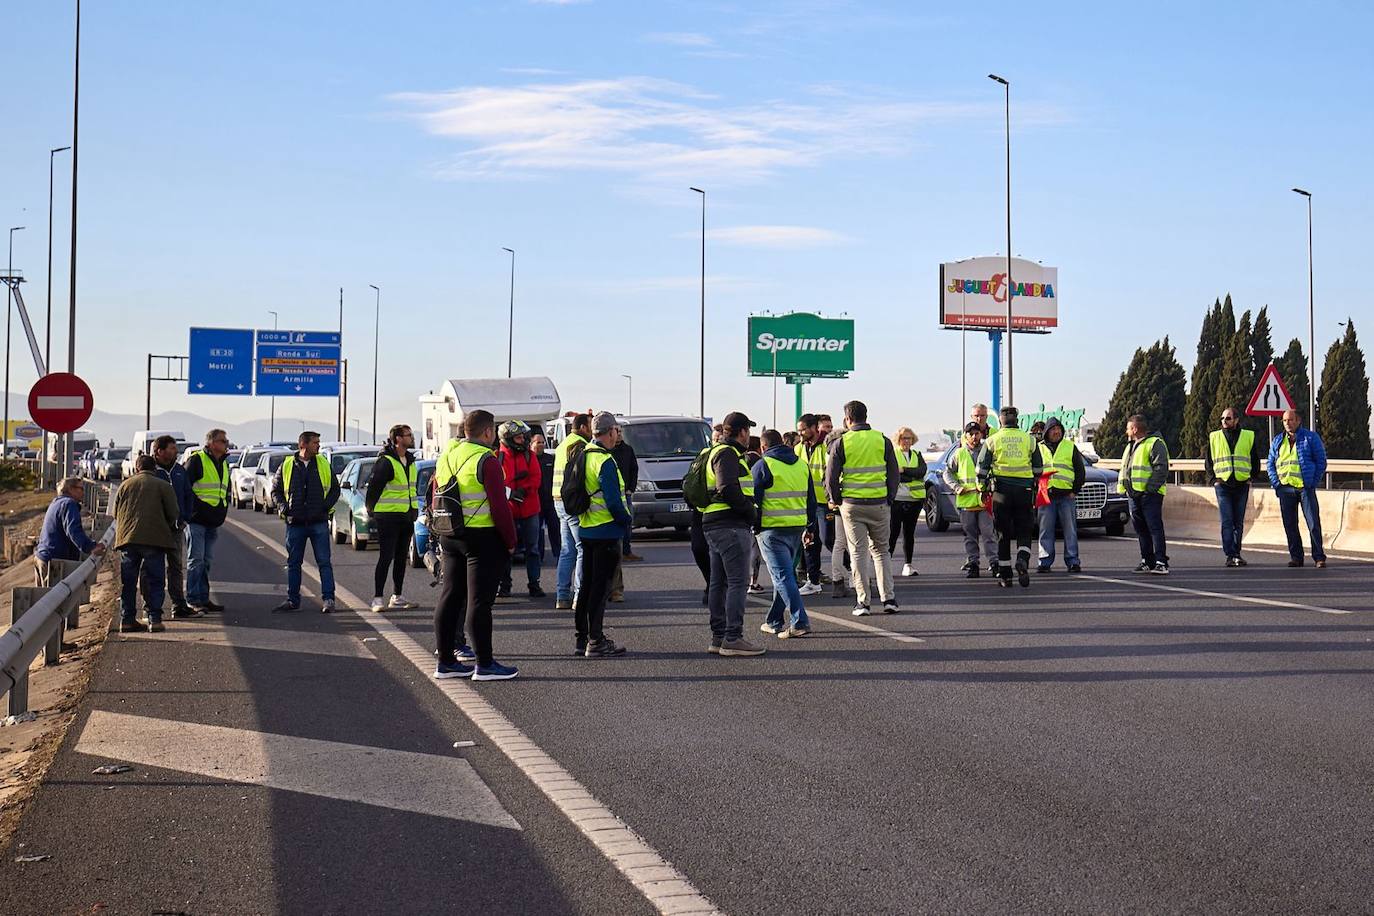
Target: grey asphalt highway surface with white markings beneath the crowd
x=1202, y=742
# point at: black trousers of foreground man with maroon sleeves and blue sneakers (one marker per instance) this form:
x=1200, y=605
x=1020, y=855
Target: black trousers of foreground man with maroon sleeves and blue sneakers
x=473, y=568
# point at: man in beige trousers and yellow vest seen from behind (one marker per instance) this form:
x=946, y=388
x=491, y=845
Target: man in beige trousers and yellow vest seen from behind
x=862, y=480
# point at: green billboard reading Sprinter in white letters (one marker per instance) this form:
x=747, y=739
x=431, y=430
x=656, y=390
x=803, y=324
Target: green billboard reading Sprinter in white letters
x=802, y=345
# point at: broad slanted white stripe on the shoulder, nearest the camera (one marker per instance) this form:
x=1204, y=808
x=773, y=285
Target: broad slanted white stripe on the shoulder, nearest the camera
x=401, y=781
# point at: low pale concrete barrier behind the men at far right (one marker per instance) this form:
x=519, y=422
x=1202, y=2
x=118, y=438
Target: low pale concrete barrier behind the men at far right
x=1347, y=518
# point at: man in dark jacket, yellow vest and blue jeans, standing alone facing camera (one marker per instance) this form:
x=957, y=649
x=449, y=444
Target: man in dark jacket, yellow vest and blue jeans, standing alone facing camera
x=306, y=491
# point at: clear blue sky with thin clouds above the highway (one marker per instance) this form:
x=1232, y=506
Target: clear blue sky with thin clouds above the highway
x=252, y=157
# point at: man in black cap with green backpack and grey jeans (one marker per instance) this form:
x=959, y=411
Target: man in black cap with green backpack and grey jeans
x=728, y=523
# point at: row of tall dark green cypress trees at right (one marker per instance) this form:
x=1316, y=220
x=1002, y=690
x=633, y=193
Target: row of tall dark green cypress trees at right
x=1232, y=358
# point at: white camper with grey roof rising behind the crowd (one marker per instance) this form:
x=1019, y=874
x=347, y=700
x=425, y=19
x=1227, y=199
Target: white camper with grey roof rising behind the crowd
x=534, y=400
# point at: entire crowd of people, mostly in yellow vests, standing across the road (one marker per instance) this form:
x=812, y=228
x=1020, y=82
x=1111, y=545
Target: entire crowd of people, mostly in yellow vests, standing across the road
x=777, y=501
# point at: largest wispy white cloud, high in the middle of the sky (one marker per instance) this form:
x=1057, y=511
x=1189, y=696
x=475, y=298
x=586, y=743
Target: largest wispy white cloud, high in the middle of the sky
x=656, y=130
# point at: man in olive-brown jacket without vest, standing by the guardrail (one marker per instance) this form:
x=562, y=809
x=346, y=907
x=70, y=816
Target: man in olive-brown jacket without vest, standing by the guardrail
x=145, y=531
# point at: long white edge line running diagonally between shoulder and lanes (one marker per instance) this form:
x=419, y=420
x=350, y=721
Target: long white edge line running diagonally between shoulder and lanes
x=666, y=888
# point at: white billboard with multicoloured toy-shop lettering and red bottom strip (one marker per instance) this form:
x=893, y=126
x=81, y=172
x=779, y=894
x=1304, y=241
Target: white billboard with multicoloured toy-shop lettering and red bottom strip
x=973, y=295
